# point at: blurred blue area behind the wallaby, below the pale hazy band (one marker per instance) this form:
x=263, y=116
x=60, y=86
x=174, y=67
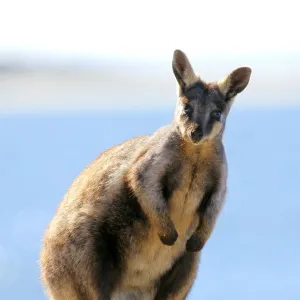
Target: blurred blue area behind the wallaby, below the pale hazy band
x=254, y=252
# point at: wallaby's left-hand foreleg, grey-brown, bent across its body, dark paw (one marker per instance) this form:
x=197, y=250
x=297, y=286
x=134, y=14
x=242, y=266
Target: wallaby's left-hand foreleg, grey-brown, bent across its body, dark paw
x=145, y=181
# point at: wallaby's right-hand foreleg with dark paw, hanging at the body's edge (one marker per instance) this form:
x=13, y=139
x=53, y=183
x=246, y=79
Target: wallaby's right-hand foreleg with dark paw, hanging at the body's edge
x=208, y=213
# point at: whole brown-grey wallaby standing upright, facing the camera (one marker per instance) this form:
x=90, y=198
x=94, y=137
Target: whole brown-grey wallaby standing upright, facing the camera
x=132, y=224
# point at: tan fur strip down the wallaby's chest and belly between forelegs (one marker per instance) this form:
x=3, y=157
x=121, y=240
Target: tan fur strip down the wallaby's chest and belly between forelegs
x=149, y=258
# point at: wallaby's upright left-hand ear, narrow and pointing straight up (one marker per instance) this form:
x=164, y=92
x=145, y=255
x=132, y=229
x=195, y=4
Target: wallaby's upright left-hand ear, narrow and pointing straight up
x=183, y=70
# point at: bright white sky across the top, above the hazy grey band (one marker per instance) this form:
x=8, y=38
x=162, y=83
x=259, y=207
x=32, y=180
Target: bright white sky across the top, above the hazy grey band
x=149, y=29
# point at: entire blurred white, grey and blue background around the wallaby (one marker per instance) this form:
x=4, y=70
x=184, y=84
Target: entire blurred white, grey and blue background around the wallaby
x=77, y=77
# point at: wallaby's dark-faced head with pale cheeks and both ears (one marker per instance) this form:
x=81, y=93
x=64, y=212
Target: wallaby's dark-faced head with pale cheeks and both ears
x=202, y=107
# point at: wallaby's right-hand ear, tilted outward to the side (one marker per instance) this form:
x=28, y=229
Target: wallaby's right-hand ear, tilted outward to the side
x=235, y=82
